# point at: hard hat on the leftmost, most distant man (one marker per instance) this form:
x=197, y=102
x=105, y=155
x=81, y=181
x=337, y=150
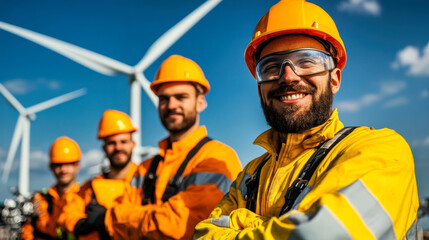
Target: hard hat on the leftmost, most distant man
x=64, y=150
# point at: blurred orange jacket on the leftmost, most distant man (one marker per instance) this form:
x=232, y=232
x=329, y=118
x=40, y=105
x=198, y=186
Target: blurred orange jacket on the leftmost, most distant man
x=48, y=206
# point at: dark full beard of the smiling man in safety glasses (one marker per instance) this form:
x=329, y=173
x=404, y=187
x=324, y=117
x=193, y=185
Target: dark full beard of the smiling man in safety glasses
x=282, y=120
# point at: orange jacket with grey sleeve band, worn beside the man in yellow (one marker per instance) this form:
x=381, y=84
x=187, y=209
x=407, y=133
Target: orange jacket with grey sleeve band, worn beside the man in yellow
x=206, y=179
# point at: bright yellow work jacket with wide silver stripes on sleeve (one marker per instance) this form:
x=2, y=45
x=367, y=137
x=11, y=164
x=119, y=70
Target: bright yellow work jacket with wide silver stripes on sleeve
x=365, y=188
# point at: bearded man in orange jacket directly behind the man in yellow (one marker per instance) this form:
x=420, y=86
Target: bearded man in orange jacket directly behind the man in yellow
x=179, y=187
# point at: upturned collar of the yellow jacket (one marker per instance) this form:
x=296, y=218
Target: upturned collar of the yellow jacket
x=270, y=139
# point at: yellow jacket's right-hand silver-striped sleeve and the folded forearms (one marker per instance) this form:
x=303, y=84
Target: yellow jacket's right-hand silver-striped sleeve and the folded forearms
x=367, y=191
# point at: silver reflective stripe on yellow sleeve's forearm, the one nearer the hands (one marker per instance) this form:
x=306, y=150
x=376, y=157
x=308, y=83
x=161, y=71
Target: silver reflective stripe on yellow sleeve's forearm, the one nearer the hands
x=320, y=225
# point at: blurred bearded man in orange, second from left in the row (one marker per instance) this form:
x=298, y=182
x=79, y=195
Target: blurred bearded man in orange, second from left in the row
x=84, y=215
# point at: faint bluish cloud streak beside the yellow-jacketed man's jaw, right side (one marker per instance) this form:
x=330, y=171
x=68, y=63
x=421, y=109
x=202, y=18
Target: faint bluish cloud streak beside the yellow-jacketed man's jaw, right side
x=386, y=89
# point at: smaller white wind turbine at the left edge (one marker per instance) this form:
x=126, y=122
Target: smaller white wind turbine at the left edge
x=22, y=131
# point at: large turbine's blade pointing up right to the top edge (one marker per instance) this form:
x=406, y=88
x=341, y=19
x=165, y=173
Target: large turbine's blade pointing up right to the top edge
x=174, y=33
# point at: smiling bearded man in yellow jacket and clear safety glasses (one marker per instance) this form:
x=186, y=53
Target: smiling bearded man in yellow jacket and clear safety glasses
x=317, y=180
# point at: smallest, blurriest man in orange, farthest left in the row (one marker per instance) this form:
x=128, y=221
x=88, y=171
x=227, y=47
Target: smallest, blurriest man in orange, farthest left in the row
x=64, y=164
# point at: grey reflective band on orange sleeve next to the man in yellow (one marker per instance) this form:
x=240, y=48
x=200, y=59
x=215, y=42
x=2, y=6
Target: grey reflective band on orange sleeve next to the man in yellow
x=200, y=178
